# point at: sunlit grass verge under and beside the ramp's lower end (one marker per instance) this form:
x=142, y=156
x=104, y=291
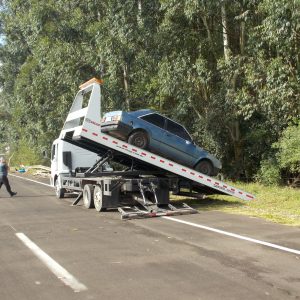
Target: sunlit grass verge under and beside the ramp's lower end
x=277, y=204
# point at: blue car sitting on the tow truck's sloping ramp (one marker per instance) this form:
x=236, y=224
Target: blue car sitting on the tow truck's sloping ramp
x=150, y=130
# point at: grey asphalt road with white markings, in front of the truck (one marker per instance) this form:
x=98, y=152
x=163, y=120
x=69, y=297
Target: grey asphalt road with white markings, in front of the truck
x=107, y=258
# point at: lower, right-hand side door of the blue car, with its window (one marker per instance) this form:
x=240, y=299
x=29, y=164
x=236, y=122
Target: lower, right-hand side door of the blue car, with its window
x=179, y=144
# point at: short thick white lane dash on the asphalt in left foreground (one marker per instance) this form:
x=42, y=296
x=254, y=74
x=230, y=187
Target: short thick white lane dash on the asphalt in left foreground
x=54, y=267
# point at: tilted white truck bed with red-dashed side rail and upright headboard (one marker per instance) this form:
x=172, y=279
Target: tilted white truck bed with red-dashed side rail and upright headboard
x=82, y=128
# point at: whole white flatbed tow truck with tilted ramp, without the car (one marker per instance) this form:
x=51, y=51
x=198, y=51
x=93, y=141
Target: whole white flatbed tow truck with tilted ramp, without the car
x=82, y=156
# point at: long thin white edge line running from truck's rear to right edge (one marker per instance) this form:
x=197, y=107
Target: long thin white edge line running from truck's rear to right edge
x=235, y=235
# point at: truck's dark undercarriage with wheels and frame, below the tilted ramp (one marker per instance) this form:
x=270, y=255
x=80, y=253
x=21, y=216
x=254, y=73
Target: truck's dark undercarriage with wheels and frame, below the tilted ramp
x=135, y=193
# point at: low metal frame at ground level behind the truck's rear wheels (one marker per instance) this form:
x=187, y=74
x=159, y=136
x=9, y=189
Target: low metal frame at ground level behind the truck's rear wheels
x=128, y=213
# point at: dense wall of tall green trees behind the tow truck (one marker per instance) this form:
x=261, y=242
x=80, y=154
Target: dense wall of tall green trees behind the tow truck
x=228, y=70
